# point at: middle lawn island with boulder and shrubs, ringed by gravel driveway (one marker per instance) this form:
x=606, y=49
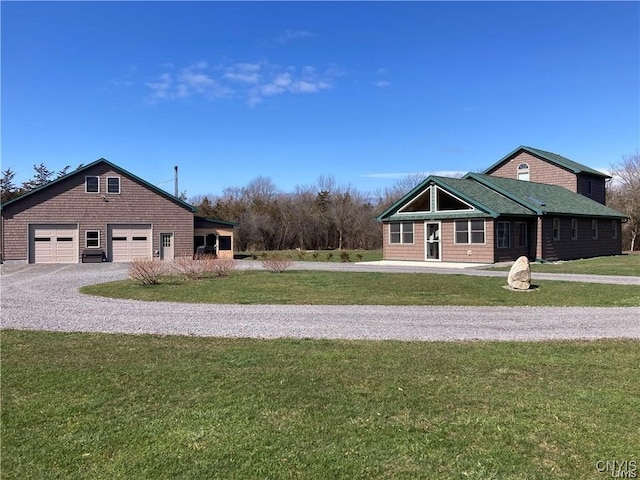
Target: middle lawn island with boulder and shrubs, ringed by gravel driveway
x=354, y=288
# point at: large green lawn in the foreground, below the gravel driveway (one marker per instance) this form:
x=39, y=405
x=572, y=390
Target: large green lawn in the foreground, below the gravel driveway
x=92, y=406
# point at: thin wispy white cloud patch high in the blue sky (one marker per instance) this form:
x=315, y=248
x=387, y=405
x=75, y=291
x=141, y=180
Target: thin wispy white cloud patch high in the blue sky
x=252, y=81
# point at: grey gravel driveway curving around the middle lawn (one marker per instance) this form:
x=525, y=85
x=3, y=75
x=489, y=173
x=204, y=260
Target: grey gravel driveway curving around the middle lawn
x=45, y=297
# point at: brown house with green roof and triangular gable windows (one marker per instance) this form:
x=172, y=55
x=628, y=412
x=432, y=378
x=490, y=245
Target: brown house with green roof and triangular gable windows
x=505, y=213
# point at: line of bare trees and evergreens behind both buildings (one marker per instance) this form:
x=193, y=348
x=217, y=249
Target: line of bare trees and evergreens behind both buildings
x=327, y=215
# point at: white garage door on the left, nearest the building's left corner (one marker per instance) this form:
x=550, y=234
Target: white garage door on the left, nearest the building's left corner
x=53, y=243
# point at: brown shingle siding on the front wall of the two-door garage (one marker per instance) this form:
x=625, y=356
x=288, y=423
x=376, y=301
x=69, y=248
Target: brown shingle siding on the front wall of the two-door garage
x=67, y=202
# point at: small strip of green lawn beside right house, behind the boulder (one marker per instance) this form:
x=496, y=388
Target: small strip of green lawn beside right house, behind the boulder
x=627, y=265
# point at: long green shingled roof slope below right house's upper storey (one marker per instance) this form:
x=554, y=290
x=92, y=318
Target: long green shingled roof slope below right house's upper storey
x=545, y=199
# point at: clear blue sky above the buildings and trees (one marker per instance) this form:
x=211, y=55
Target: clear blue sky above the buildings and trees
x=364, y=91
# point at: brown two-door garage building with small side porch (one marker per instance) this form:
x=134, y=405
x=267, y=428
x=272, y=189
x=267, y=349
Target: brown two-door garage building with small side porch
x=102, y=212
